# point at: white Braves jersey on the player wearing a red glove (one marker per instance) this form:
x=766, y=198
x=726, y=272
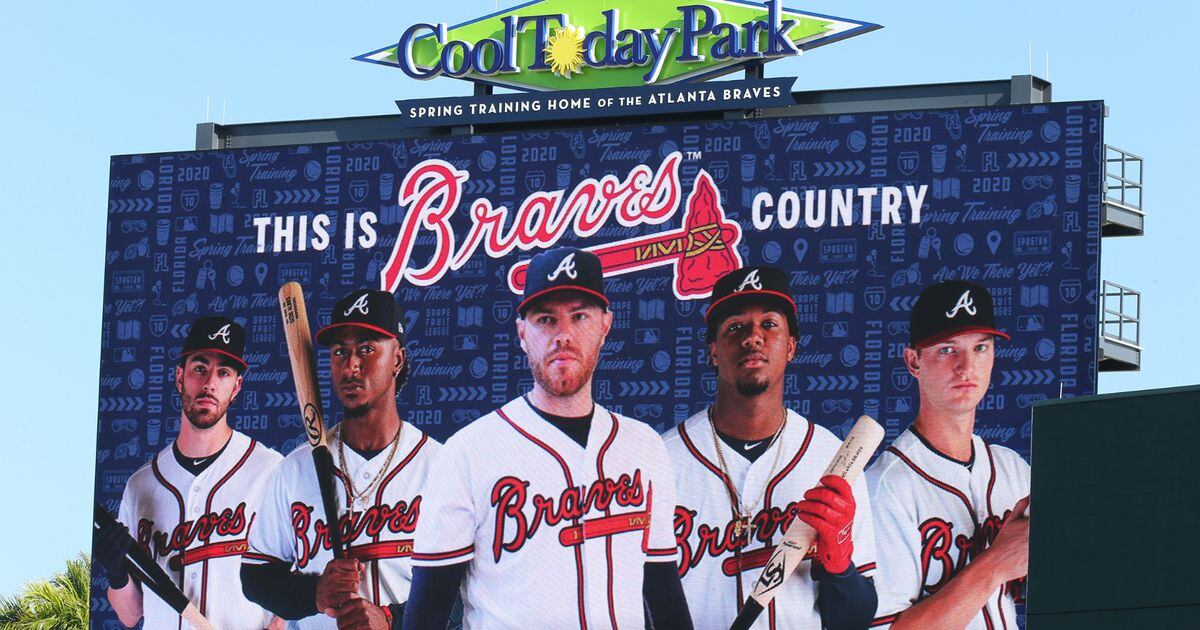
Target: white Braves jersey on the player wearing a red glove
x=719, y=571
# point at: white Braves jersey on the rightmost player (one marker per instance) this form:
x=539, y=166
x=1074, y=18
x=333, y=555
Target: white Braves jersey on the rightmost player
x=933, y=515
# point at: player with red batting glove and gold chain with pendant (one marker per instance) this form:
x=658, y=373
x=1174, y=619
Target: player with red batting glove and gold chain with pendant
x=747, y=469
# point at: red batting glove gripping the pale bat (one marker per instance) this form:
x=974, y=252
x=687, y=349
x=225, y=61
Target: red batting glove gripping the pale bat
x=830, y=509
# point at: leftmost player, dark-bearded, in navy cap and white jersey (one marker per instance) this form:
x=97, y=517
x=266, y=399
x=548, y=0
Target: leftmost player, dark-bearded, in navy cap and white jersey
x=191, y=507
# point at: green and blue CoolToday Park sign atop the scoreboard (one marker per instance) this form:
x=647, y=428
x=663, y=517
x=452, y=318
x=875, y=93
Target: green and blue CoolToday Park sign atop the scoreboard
x=548, y=46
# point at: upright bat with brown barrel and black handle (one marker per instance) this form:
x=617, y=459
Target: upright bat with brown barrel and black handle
x=304, y=373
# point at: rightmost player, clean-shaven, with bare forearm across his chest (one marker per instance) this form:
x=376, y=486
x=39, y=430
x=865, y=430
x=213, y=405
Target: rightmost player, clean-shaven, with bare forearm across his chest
x=950, y=509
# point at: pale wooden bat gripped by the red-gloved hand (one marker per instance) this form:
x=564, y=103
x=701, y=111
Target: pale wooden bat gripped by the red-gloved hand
x=848, y=464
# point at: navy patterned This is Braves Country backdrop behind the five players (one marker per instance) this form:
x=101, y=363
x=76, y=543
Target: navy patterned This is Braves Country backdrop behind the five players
x=863, y=212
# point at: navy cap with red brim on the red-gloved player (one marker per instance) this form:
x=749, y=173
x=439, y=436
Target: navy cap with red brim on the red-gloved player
x=752, y=285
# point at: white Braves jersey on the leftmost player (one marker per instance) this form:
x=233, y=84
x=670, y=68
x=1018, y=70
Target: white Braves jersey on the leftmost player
x=196, y=529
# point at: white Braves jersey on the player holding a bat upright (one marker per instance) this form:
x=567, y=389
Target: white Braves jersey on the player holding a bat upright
x=292, y=524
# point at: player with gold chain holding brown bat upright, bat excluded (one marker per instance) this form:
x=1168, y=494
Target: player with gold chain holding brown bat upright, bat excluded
x=381, y=465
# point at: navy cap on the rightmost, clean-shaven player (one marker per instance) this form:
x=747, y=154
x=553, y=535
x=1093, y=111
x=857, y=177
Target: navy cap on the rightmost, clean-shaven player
x=949, y=309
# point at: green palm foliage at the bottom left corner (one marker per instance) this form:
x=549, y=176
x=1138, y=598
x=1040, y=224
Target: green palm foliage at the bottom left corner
x=58, y=604
